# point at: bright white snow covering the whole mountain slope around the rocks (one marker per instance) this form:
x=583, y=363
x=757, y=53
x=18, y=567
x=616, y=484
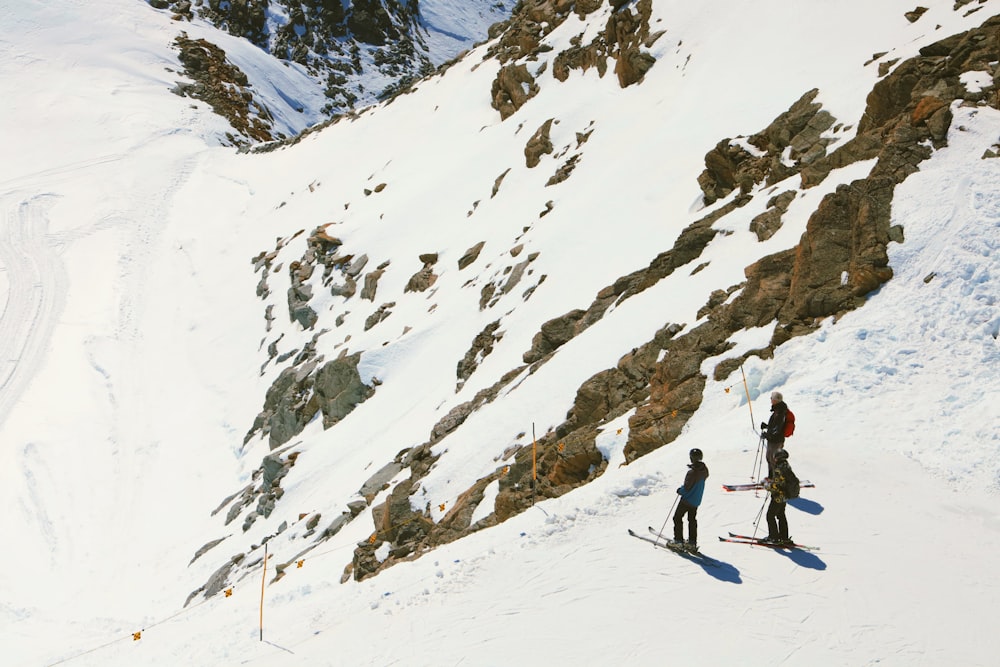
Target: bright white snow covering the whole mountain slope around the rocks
x=147, y=276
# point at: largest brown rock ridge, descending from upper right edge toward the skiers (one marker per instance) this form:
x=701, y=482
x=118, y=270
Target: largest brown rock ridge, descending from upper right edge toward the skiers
x=842, y=256
